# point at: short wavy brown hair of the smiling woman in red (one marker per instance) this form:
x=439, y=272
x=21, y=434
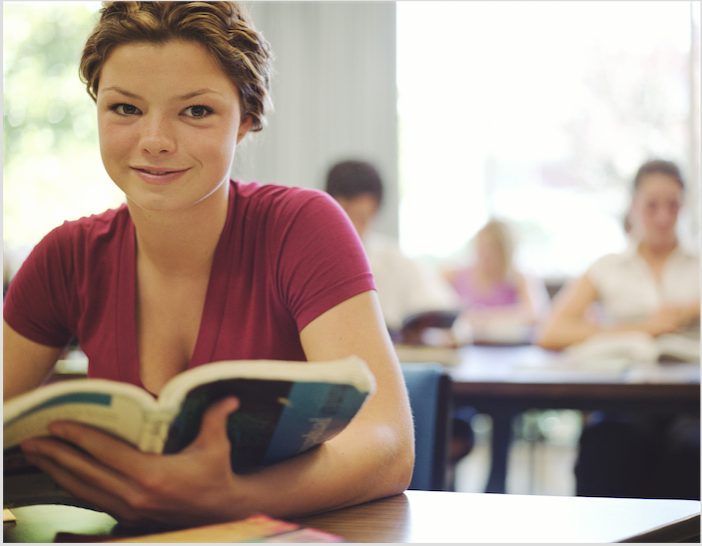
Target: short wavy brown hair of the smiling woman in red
x=224, y=28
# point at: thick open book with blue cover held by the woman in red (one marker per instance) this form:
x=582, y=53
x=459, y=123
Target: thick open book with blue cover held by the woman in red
x=285, y=409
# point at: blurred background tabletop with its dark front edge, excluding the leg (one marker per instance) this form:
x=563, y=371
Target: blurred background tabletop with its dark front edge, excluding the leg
x=544, y=379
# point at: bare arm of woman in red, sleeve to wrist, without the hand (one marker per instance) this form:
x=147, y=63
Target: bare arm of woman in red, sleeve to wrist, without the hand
x=374, y=456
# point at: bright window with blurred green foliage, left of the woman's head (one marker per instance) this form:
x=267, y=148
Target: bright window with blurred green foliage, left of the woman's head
x=52, y=169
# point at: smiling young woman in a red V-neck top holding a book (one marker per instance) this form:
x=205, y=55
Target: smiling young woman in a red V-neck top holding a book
x=197, y=268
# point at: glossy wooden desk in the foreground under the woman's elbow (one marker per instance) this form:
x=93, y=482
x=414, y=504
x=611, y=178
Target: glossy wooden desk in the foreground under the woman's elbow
x=433, y=517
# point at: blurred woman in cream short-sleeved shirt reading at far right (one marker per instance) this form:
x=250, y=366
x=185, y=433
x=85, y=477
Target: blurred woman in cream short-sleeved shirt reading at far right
x=652, y=287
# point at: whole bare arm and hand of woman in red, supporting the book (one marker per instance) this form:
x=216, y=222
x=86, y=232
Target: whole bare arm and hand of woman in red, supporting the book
x=372, y=458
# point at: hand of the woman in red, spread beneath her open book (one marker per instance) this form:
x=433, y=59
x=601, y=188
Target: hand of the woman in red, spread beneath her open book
x=193, y=487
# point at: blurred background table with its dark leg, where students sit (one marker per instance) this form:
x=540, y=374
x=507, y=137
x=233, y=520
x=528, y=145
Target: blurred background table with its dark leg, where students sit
x=506, y=381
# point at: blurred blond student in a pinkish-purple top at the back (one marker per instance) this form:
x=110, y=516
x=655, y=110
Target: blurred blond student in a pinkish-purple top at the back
x=498, y=301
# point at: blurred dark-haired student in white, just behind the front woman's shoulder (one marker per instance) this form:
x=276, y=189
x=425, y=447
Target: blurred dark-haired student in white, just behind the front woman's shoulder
x=405, y=286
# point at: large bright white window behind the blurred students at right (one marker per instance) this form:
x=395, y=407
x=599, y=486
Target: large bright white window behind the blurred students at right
x=539, y=113
